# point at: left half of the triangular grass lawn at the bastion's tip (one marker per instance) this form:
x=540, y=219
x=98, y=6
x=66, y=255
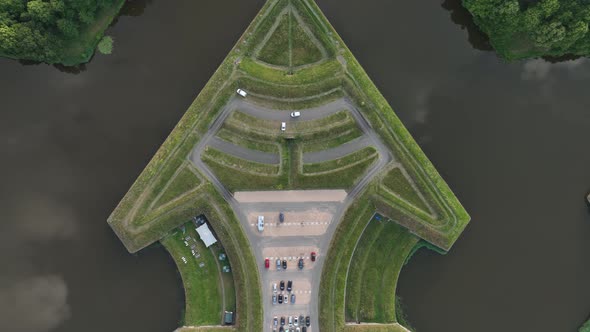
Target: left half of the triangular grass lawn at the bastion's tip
x=277, y=51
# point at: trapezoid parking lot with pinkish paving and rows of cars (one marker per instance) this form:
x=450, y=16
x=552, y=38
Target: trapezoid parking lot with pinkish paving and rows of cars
x=308, y=225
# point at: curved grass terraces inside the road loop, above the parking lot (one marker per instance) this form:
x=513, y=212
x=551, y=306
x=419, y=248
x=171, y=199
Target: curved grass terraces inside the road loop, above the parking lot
x=238, y=174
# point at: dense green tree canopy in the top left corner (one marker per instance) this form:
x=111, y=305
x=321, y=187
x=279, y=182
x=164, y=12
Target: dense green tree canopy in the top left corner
x=42, y=29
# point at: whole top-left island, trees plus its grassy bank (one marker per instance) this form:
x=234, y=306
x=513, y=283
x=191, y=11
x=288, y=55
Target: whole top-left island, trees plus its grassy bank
x=54, y=31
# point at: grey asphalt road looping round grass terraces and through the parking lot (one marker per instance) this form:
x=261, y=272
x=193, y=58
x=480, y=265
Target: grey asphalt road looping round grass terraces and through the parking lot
x=258, y=242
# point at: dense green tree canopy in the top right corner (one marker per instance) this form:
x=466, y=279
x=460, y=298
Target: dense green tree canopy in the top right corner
x=523, y=29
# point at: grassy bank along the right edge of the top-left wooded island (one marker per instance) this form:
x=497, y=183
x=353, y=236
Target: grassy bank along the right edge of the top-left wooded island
x=81, y=49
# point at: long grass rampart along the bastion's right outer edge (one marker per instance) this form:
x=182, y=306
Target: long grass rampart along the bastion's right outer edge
x=377, y=111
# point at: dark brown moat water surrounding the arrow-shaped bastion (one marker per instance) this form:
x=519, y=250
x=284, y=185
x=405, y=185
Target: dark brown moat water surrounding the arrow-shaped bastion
x=512, y=140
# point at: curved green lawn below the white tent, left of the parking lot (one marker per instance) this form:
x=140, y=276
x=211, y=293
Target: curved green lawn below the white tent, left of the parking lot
x=202, y=285
